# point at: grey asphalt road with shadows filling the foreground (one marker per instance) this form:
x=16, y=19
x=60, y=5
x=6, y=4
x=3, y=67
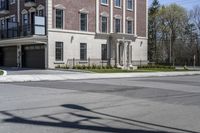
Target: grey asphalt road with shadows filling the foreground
x=128, y=105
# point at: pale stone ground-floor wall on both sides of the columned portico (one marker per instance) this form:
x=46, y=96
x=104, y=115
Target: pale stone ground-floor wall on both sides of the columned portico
x=72, y=39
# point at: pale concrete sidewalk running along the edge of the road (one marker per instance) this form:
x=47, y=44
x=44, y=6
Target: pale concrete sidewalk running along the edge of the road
x=77, y=76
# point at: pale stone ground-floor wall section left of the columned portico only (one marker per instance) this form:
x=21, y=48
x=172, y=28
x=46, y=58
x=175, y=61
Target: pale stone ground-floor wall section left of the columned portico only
x=72, y=42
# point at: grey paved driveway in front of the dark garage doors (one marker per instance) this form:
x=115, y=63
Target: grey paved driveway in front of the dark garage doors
x=24, y=71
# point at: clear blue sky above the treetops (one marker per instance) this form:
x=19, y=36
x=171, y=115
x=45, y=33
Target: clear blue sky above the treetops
x=188, y=4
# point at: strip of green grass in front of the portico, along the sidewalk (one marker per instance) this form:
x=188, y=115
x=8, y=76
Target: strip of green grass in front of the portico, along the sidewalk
x=132, y=71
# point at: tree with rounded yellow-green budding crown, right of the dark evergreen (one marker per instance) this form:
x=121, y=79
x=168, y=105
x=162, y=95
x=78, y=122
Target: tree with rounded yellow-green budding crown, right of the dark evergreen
x=173, y=18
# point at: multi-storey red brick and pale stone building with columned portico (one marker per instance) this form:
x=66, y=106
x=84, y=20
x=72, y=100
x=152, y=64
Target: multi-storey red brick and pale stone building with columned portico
x=47, y=33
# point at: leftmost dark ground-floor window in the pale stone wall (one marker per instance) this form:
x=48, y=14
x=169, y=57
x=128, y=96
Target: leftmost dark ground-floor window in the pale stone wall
x=59, y=51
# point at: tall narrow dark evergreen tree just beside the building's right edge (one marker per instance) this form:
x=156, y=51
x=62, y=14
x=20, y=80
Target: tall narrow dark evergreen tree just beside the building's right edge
x=153, y=28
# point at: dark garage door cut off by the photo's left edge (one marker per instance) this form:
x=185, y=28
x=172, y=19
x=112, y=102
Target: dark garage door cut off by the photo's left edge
x=8, y=56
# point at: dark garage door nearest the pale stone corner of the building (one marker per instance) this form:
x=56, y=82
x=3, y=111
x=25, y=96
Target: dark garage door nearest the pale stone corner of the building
x=33, y=56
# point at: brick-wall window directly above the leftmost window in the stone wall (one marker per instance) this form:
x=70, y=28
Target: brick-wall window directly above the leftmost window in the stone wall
x=59, y=18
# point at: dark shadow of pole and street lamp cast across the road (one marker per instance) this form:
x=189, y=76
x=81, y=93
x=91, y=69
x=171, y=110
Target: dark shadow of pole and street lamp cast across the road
x=94, y=126
